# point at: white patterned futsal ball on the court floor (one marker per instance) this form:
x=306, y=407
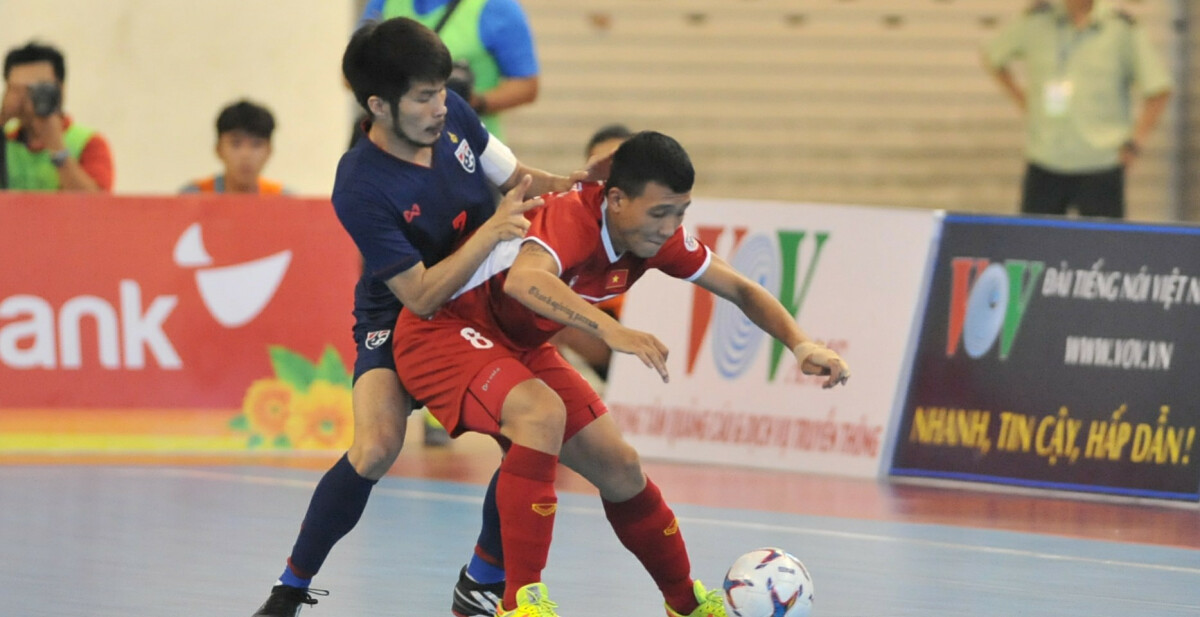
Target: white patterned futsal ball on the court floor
x=769, y=583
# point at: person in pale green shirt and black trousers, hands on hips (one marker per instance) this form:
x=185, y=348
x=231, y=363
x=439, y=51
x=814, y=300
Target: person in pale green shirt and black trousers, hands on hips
x=1085, y=64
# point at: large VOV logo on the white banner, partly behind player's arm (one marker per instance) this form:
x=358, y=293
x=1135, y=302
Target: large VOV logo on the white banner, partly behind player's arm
x=770, y=261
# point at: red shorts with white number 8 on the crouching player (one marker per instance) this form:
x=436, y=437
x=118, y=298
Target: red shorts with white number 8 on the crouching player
x=464, y=373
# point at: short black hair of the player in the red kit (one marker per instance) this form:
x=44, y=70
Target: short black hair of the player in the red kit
x=650, y=157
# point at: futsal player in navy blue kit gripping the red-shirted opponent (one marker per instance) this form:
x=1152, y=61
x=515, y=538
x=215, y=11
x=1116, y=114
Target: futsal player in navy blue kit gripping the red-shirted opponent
x=410, y=195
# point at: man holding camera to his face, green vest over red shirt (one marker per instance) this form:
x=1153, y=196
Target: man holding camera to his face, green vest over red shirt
x=44, y=149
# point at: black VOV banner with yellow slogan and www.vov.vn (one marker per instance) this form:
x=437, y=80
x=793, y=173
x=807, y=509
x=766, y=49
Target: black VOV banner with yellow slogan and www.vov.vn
x=1059, y=355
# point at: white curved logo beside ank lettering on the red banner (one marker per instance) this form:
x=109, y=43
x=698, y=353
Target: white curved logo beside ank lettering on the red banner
x=233, y=295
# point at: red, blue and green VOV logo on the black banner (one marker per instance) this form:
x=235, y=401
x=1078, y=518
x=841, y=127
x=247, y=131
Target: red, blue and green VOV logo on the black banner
x=989, y=307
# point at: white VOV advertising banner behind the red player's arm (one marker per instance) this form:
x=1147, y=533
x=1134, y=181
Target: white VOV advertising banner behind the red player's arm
x=850, y=275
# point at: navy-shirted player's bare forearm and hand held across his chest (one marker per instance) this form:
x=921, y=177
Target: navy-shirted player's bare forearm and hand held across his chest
x=425, y=290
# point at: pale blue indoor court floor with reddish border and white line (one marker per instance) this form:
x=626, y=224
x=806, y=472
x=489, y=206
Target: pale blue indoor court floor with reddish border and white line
x=173, y=536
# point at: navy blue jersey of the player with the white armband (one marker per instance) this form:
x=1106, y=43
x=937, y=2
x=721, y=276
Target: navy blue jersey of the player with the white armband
x=400, y=213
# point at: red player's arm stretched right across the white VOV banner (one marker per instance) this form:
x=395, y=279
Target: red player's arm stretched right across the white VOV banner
x=769, y=314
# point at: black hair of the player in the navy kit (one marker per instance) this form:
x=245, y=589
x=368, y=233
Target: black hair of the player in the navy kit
x=385, y=58
